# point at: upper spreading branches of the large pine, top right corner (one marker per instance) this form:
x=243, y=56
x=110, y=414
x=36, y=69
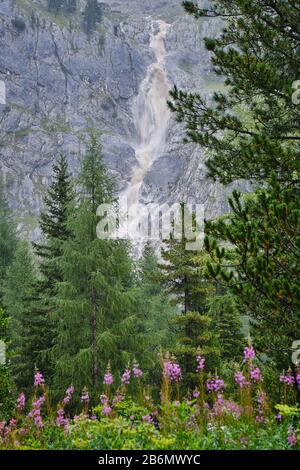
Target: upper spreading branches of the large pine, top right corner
x=252, y=128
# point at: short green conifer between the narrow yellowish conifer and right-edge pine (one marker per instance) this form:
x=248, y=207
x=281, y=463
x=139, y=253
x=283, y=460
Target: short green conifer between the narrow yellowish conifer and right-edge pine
x=227, y=323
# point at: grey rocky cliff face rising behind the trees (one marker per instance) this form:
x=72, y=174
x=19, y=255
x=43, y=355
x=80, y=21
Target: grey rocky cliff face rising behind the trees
x=64, y=76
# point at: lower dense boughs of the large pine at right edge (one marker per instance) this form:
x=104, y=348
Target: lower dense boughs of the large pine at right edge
x=261, y=265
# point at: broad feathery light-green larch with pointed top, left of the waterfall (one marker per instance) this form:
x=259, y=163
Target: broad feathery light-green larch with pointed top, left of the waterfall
x=94, y=300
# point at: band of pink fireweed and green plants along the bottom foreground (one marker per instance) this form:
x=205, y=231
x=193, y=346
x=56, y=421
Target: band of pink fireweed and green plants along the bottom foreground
x=127, y=417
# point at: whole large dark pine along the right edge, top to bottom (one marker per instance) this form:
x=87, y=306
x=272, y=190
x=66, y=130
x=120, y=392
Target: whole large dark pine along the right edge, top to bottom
x=251, y=132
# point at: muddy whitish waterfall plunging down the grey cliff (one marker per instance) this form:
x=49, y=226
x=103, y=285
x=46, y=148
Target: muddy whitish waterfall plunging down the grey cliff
x=151, y=115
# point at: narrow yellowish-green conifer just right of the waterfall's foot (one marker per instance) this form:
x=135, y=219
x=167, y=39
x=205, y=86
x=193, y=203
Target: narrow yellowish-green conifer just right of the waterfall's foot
x=183, y=275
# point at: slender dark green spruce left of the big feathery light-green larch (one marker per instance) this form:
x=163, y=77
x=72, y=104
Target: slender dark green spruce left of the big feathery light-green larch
x=37, y=320
